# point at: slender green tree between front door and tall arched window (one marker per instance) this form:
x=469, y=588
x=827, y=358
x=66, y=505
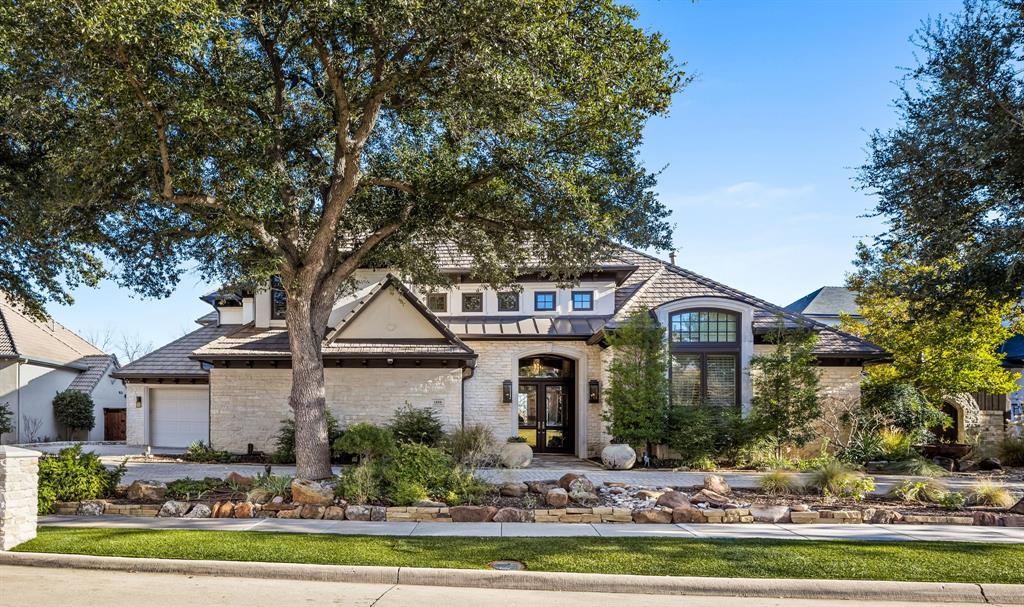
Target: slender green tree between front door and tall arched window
x=638, y=388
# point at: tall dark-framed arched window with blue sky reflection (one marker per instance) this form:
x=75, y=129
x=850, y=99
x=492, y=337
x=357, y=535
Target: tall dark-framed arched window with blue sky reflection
x=705, y=352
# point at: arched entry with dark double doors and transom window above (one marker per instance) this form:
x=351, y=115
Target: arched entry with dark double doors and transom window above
x=546, y=404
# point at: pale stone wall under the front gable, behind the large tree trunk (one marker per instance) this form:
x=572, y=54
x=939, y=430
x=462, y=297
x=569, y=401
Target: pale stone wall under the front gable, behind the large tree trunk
x=247, y=406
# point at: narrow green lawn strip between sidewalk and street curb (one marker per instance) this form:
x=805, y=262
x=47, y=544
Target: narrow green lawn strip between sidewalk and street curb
x=730, y=558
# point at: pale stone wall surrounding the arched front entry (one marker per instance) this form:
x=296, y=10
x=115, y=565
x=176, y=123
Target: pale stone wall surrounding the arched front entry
x=495, y=365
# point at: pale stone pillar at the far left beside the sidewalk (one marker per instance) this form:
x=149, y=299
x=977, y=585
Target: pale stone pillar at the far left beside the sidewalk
x=19, y=491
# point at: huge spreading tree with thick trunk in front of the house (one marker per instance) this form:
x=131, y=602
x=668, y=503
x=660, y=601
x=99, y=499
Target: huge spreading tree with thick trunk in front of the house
x=308, y=140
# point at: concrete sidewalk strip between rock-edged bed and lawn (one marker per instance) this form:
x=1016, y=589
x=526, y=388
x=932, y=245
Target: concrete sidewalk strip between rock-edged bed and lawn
x=686, y=532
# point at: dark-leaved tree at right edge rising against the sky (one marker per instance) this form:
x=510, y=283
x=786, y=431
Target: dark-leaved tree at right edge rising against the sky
x=951, y=178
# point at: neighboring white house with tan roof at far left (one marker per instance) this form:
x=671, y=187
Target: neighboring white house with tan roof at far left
x=39, y=360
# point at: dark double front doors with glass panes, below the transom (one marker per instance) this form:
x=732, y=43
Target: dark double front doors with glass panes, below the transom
x=546, y=415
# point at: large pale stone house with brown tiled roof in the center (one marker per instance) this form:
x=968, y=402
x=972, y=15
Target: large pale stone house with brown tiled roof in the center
x=530, y=362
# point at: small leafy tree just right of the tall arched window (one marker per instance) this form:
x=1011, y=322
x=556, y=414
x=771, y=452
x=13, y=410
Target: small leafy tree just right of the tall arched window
x=786, y=391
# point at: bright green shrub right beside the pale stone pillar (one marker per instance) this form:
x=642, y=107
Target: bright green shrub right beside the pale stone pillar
x=73, y=476
